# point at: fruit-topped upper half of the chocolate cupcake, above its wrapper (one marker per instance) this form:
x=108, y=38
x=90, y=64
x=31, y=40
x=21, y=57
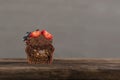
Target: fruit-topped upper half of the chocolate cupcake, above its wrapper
x=38, y=37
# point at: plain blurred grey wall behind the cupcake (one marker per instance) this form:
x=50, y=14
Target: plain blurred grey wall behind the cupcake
x=81, y=28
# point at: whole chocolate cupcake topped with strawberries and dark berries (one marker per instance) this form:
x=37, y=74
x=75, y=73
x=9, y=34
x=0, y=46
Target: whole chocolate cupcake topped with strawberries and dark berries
x=39, y=48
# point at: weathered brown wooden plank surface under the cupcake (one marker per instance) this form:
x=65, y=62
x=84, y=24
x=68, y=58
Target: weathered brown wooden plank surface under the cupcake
x=61, y=69
